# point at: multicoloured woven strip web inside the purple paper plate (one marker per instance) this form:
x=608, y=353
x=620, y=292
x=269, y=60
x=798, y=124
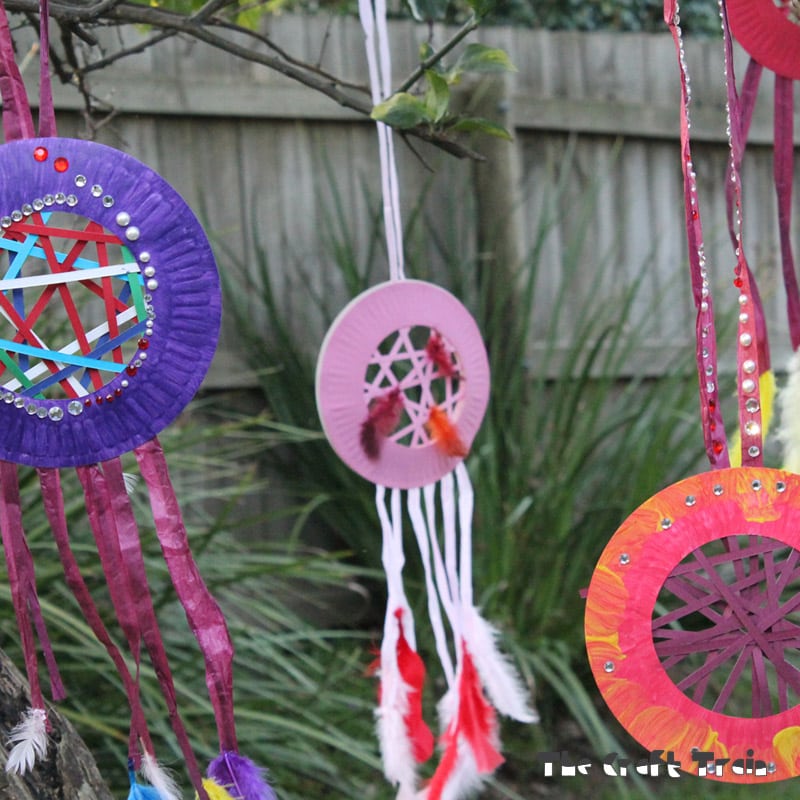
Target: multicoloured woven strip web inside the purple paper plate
x=72, y=306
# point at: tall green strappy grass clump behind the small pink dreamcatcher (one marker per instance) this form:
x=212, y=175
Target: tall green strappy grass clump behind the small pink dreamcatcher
x=572, y=442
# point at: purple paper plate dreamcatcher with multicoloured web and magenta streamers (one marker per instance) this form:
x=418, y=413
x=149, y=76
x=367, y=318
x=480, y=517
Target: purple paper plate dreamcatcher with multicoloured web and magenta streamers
x=109, y=315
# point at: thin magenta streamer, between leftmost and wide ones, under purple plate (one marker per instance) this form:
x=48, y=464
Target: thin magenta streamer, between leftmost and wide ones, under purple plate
x=50, y=482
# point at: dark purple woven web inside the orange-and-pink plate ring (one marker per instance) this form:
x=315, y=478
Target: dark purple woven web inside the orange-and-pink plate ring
x=726, y=626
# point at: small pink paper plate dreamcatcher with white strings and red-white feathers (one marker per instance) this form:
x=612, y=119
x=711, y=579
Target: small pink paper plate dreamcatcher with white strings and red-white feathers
x=402, y=386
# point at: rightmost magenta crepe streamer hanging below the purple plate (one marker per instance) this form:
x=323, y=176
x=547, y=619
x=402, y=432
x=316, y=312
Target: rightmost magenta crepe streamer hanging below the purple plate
x=202, y=611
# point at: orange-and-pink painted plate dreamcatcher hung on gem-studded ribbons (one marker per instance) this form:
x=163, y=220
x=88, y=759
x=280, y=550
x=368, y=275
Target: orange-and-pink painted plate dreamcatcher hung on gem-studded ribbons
x=692, y=624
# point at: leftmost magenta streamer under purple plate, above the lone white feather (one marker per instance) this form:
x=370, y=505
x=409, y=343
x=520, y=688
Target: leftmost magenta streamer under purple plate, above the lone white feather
x=21, y=577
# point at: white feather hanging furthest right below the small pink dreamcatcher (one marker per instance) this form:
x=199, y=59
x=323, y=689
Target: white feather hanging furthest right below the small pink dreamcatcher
x=503, y=685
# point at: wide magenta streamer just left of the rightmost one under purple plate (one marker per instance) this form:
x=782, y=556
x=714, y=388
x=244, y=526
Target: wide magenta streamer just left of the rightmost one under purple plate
x=118, y=545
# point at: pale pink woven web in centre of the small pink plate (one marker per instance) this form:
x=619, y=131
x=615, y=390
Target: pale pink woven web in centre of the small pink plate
x=402, y=360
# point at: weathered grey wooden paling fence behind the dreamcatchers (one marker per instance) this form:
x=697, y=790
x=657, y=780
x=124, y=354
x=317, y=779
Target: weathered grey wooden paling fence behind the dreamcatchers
x=268, y=163
